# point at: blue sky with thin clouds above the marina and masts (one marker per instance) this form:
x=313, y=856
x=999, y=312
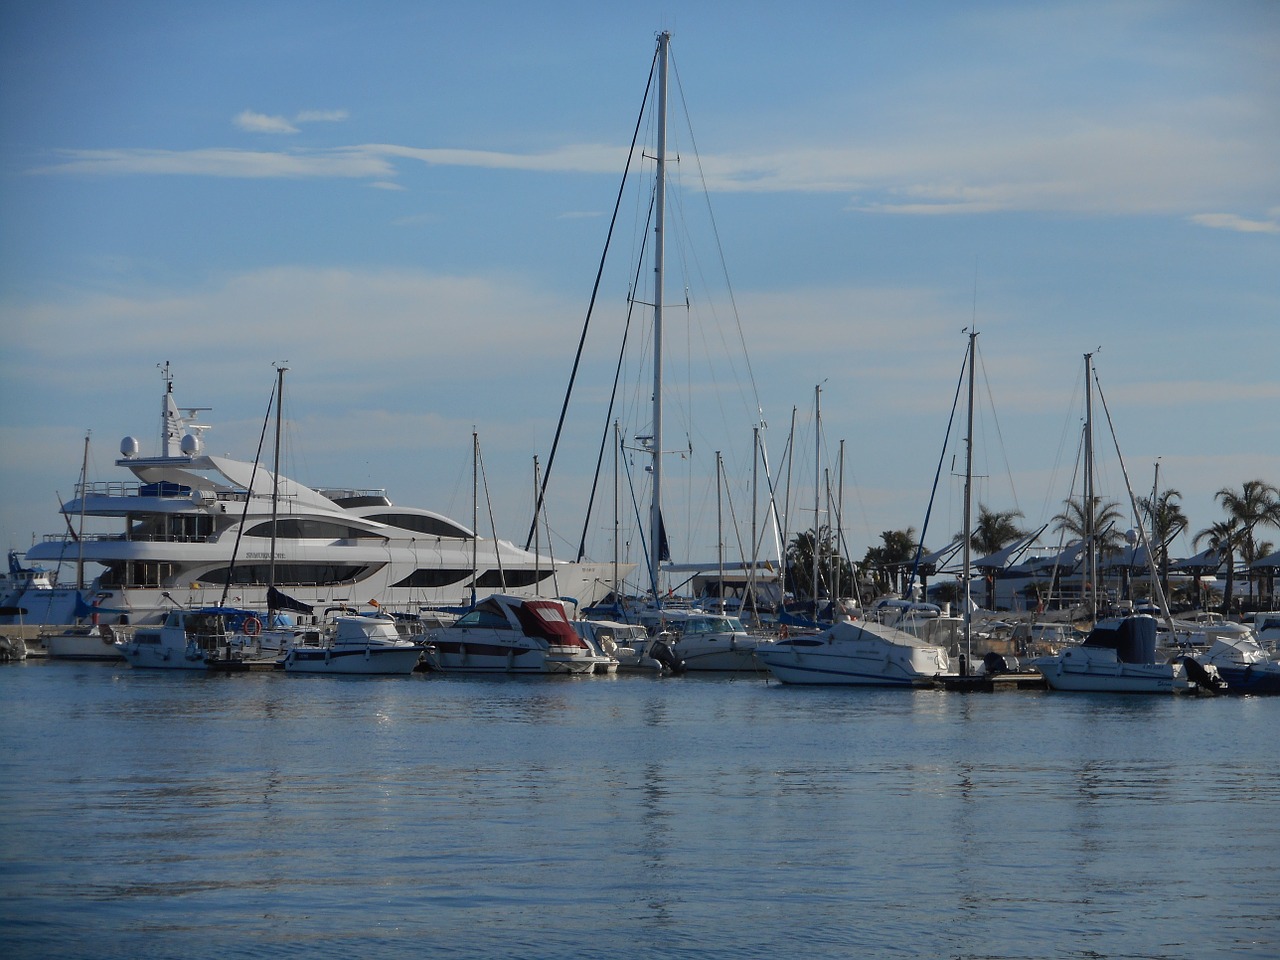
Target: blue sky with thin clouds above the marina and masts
x=406, y=204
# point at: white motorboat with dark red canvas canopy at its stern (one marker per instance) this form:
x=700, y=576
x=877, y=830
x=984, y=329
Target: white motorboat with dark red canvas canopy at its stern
x=506, y=634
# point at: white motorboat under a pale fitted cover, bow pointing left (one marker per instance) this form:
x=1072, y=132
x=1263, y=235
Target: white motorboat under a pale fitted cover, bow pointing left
x=857, y=655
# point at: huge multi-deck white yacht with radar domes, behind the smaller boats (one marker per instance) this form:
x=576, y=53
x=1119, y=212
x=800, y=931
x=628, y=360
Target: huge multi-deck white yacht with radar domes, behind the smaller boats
x=193, y=523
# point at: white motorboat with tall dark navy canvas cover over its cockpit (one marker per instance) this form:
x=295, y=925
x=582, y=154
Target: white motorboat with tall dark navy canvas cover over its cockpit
x=1118, y=656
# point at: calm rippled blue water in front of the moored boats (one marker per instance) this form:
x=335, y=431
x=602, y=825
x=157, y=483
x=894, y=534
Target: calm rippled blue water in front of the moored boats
x=156, y=815
